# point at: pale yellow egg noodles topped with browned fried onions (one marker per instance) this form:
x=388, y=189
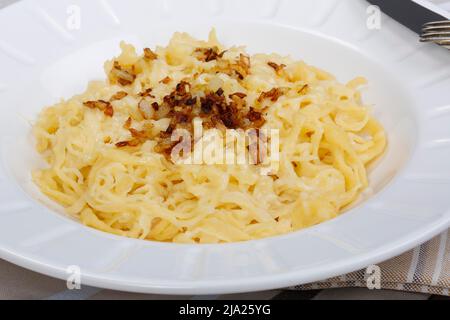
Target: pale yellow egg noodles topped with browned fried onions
x=107, y=166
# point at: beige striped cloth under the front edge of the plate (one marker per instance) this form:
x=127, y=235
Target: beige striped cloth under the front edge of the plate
x=424, y=271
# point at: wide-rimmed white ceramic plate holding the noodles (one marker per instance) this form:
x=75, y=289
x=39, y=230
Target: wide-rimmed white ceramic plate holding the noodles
x=41, y=60
